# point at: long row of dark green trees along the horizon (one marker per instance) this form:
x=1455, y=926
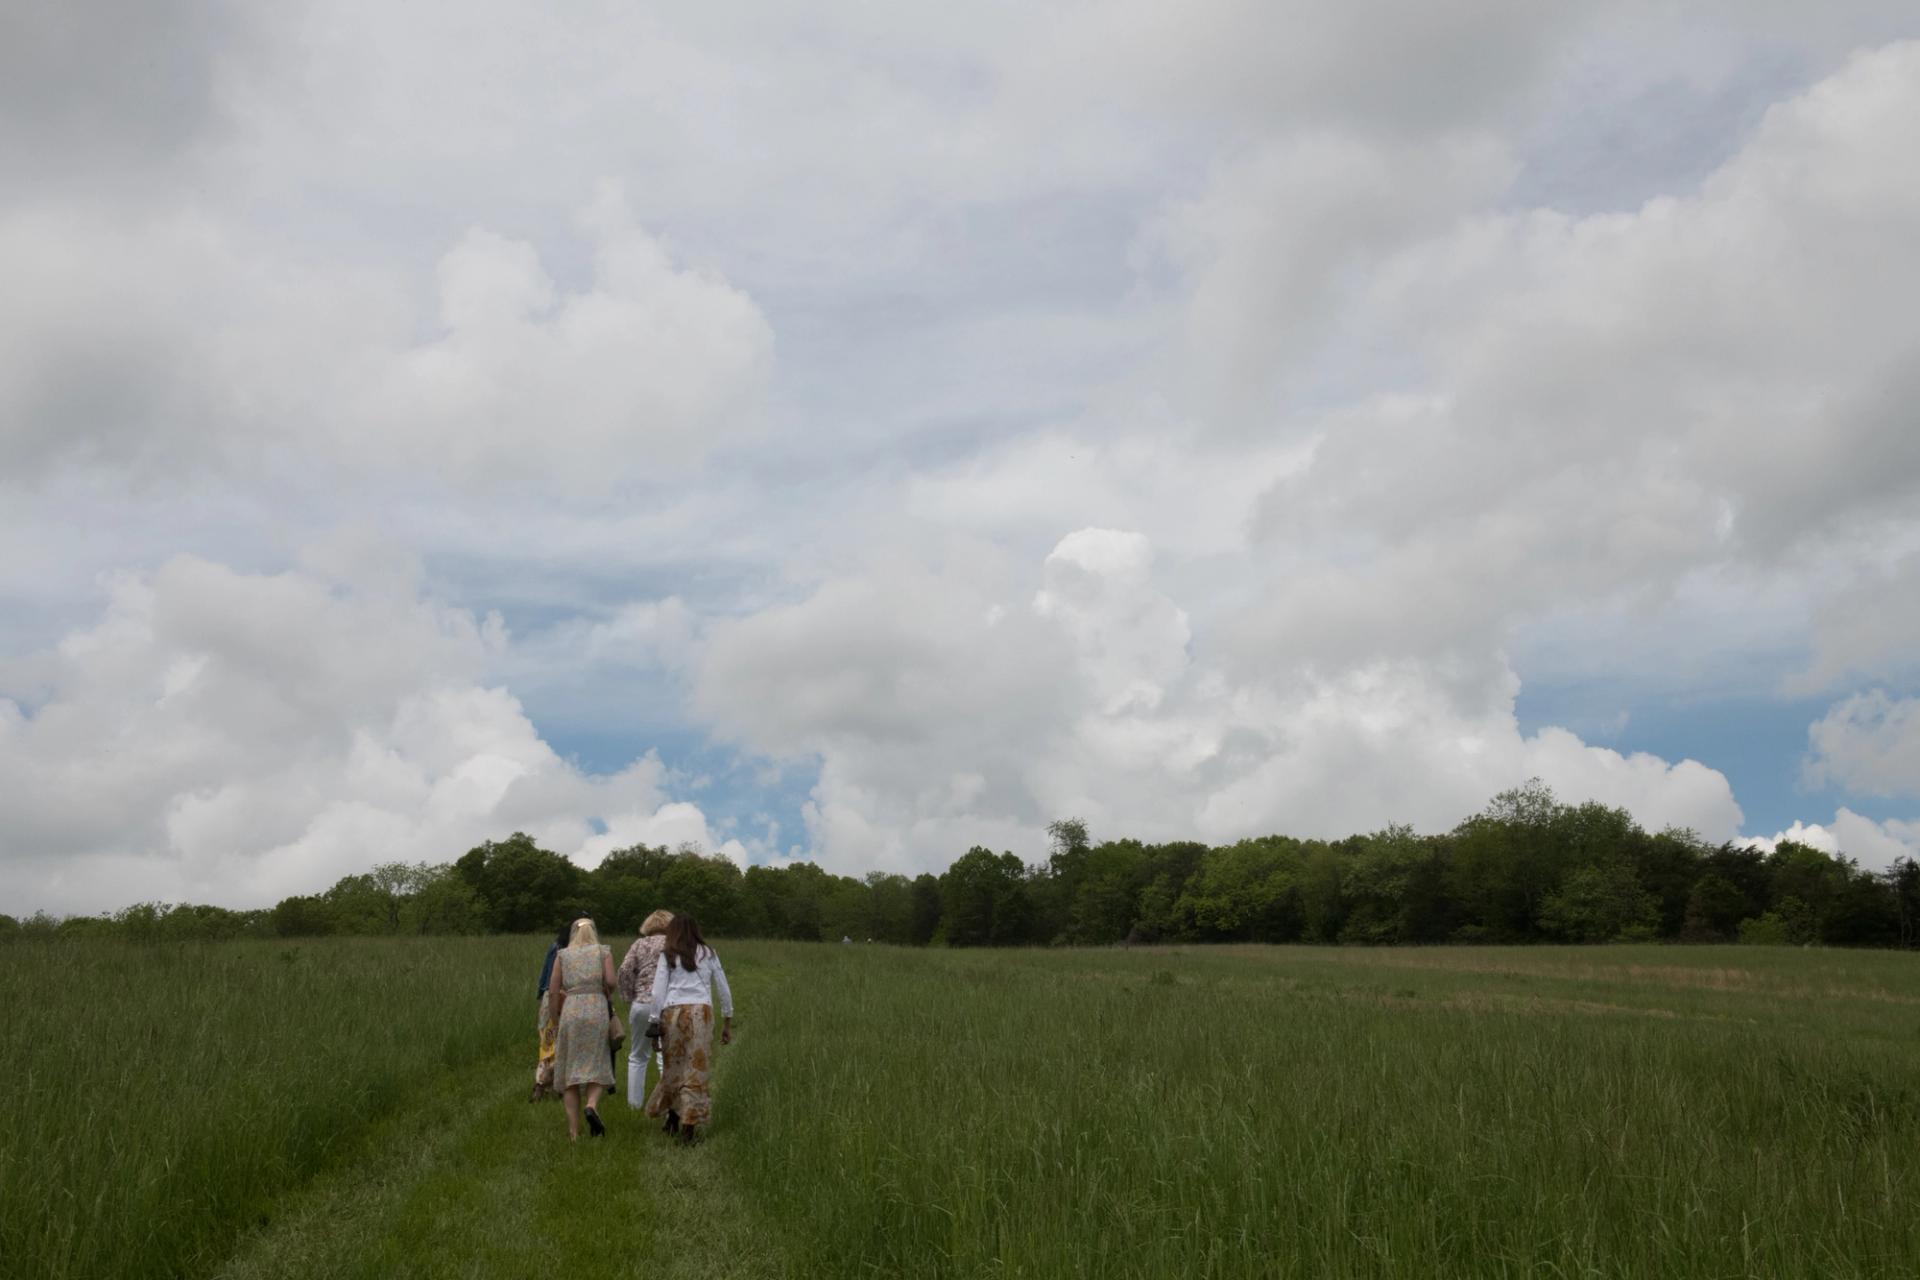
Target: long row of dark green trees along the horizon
x=1525, y=870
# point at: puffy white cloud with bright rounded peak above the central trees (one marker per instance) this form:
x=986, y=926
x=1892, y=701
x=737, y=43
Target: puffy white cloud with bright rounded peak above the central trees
x=948, y=709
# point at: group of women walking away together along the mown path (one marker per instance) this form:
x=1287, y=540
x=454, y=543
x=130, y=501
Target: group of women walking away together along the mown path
x=669, y=982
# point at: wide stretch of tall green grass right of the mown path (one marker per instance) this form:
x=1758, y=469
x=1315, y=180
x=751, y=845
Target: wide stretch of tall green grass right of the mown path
x=1618, y=1112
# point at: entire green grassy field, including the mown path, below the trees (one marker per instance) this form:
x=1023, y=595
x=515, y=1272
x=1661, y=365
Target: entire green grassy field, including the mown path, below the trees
x=356, y=1108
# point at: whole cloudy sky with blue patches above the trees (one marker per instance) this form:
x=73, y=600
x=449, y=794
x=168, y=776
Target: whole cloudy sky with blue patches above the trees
x=865, y=431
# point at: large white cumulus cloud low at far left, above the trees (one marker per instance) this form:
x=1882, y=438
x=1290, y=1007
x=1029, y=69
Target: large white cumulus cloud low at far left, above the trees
x=233, y=738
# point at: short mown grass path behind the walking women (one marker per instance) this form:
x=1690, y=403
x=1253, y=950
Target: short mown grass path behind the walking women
x=479, y=1183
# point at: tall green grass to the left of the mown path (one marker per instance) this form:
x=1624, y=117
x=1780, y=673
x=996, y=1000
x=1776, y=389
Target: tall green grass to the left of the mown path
x=162, y=1097
